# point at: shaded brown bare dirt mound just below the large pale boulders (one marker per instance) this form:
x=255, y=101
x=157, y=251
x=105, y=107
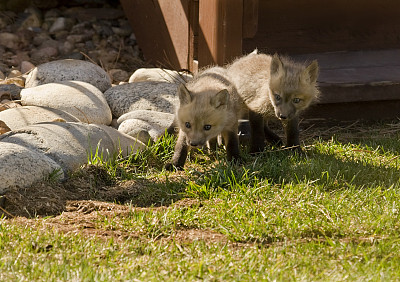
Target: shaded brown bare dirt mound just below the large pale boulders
x=77, y=193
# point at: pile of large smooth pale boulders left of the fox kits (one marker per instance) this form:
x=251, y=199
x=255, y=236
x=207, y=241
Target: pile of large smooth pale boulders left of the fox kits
x=69, y=112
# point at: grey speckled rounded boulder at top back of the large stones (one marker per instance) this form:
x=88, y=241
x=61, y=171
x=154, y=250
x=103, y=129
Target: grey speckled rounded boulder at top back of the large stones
x=69, y=69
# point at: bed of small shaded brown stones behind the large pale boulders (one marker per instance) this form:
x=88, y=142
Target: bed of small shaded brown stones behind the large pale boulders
x=99, y=33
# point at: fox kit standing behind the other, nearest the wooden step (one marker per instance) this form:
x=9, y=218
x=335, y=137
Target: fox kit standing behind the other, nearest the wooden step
x=274, y=86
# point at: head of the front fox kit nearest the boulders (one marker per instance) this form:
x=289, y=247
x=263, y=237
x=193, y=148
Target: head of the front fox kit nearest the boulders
x=202, y=116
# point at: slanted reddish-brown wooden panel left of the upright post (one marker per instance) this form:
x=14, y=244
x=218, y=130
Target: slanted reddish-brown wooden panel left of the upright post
x=162, y=30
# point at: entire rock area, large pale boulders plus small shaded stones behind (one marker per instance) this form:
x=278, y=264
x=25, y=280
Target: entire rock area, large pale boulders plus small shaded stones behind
x=64, y=112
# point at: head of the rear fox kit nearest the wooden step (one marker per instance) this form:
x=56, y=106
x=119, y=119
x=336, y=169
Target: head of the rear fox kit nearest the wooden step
x=293, y=86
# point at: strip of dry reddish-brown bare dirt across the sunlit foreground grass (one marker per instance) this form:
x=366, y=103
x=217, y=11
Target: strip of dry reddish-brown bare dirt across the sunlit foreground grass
x=82, y=217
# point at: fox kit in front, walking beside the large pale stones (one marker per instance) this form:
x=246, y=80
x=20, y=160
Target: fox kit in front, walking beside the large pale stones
x=209, y=106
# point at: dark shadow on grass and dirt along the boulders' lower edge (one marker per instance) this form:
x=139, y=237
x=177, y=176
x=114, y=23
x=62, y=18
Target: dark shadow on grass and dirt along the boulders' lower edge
x=91, y=184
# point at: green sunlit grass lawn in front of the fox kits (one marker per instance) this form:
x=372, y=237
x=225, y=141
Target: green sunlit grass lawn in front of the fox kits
x=330, y=214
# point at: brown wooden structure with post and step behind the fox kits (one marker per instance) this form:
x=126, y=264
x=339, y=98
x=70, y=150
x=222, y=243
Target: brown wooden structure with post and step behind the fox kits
x=357, y=43
